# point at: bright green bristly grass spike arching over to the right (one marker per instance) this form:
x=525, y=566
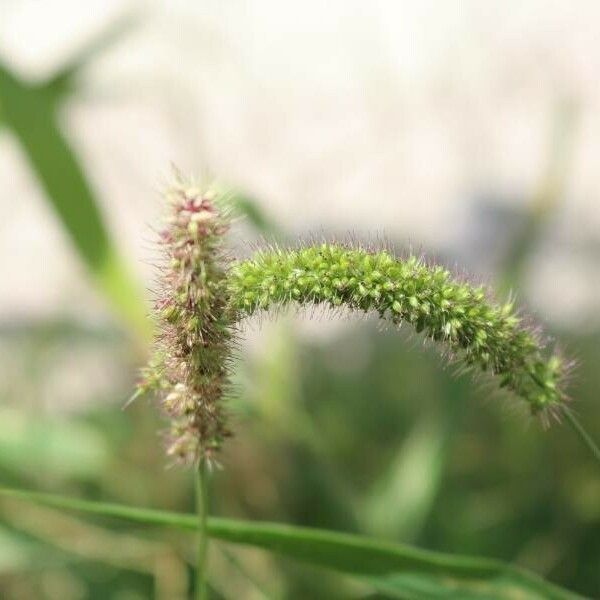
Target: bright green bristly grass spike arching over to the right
x=477, y=331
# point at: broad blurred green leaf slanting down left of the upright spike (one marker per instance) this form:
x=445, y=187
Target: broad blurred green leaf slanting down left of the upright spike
x=29, y=112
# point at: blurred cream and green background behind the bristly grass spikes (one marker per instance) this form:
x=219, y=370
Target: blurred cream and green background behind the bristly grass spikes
x=469, y=131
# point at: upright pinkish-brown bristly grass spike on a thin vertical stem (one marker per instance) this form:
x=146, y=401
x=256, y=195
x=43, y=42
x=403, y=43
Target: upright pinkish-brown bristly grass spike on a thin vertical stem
x=189, y=367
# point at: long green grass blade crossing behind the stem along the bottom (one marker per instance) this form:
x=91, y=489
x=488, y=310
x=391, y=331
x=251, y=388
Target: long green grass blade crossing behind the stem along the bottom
x=381, y=563
